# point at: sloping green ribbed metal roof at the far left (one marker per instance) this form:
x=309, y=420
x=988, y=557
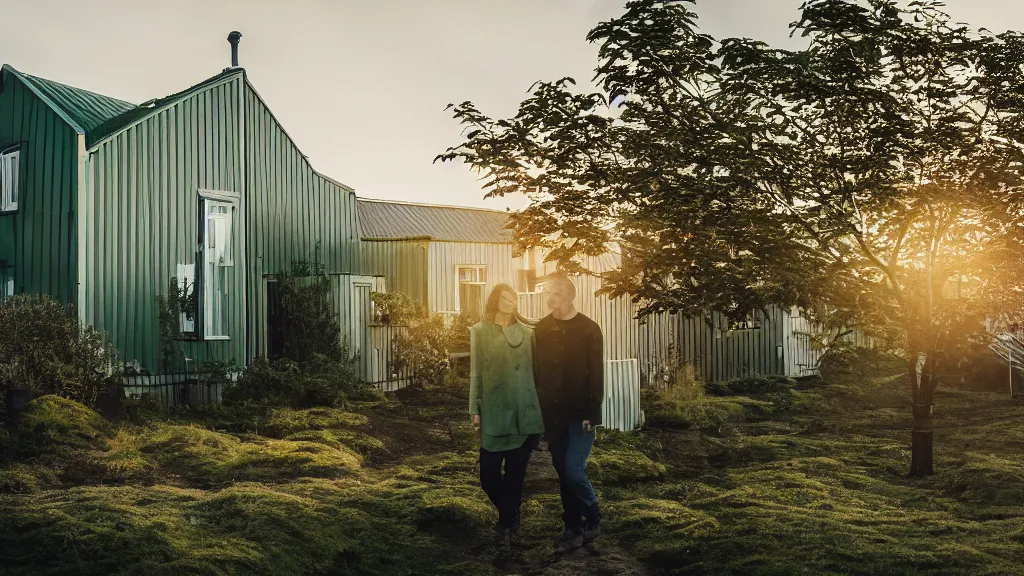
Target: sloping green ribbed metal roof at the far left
x=82, y=109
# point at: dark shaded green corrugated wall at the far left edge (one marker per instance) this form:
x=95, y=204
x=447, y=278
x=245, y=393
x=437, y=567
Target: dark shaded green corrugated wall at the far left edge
x=40, y=240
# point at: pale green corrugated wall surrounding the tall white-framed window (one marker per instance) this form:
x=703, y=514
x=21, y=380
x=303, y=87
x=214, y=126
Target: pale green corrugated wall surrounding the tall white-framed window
x=143, y=219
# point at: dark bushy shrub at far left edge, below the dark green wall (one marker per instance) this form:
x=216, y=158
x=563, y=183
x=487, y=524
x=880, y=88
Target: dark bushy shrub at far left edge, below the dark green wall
x=49, y=351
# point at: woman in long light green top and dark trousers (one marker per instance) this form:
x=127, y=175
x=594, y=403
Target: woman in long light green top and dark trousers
x=503, y=405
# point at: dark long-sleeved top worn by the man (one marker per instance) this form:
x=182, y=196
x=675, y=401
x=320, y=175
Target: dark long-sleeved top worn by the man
x=569, y=371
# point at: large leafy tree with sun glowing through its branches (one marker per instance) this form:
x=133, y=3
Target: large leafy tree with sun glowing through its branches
x=876, y=172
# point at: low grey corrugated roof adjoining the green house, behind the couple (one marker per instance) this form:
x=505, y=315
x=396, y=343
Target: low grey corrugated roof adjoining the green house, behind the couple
x=381, y=220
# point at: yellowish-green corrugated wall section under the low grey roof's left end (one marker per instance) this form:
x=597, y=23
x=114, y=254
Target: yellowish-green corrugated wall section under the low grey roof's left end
x=403, y=264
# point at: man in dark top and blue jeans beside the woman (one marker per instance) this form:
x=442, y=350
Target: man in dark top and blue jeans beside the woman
x=570, y=375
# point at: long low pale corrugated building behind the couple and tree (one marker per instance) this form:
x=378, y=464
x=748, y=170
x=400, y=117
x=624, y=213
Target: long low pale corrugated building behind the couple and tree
x=451, y=259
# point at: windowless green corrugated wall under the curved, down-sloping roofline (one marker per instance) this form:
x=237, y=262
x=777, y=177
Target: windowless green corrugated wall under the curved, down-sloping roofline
x=295, y=214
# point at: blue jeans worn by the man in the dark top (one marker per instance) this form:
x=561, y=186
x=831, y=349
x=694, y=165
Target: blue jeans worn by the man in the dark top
x=570, y=450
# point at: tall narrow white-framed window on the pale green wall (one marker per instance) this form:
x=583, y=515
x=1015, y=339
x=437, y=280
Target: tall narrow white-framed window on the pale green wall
x=220, y=213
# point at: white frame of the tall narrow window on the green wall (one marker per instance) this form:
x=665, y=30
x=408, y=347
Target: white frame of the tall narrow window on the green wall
x=219, y=200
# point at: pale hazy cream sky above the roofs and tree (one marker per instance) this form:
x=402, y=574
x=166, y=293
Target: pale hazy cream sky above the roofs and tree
x=362, y=86
